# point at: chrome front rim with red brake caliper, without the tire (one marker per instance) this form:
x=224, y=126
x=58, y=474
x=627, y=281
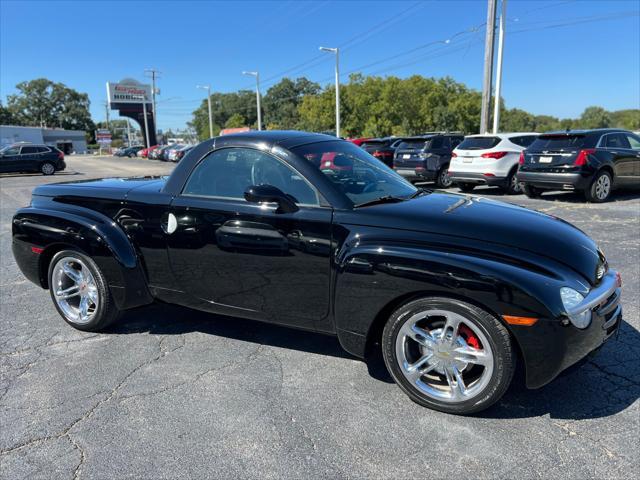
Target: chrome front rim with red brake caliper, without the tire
x=446, y=356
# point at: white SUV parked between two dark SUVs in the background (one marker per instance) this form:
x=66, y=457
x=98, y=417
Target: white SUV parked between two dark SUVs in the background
x=489, y=160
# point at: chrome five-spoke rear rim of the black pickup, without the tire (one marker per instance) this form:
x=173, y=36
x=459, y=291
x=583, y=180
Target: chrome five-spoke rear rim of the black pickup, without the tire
x=74, y=290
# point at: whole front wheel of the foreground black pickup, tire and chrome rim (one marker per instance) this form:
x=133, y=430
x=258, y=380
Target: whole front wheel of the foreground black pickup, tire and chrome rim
x=433, y=381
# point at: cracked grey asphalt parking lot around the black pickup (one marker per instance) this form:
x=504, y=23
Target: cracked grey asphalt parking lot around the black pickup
x=168, y=392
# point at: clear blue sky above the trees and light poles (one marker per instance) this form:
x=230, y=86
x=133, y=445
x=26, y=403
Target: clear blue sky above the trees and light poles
x=560, y=56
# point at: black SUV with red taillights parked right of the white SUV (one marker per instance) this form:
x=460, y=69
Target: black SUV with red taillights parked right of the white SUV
x=594, y=162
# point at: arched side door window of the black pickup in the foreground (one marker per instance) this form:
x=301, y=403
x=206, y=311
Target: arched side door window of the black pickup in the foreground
x=227, y=173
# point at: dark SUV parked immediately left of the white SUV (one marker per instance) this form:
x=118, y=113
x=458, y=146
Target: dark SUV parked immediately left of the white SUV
x=427, y=157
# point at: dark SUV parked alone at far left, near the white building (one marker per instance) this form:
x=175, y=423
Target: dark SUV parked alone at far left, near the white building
x=31, y=158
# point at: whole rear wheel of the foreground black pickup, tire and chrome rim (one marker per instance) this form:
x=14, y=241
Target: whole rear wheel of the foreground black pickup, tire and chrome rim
x=87, y=280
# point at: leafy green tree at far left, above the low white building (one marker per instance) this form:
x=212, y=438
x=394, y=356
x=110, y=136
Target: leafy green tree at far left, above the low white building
x=43, y=102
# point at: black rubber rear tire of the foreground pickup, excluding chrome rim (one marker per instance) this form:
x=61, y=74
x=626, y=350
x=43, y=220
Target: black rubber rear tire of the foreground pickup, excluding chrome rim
x=107, y=310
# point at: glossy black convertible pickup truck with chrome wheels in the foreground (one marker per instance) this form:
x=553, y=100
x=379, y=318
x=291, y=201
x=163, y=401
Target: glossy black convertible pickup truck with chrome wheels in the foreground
x=312, y=232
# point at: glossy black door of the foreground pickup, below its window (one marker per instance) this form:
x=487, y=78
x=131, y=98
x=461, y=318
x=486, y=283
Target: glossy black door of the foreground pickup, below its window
x=245, y=257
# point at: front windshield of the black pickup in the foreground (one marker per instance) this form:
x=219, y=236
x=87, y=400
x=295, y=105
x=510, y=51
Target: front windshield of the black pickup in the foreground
x=354, y=172
